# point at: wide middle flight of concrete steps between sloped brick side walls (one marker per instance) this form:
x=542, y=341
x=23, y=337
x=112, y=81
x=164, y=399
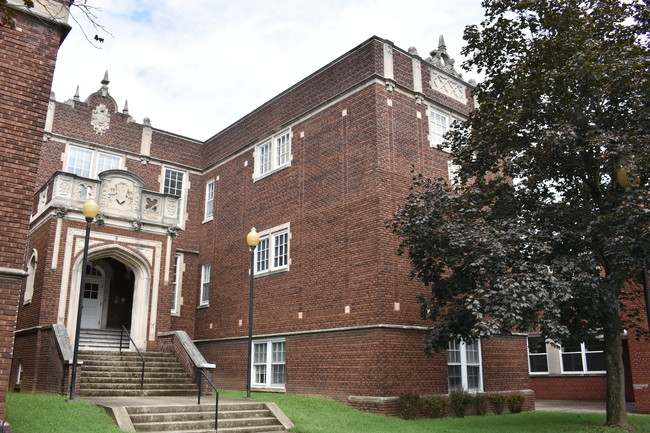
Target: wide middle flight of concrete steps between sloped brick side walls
x=114, y=373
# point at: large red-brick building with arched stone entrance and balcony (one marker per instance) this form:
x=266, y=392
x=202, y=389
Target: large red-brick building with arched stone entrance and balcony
x=317, y=170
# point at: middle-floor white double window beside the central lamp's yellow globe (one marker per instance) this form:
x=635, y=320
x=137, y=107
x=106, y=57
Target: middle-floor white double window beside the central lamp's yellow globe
x=272, y=253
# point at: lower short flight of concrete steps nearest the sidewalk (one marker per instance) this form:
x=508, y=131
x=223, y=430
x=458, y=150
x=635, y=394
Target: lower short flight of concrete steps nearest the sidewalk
x=233, y=418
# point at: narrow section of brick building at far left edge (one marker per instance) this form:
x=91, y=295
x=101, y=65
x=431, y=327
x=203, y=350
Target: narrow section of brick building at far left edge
x=27, y=56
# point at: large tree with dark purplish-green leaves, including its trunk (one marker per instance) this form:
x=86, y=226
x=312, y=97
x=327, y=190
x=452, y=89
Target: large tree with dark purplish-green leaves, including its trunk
x=547, y=226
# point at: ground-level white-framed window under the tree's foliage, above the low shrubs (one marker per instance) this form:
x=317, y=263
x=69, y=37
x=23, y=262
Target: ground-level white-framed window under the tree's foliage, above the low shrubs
x=464, y=369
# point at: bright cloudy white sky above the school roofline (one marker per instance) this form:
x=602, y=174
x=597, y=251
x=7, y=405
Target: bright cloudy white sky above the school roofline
x=194, y=67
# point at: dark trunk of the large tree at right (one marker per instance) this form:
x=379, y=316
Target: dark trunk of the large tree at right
x=616, y=413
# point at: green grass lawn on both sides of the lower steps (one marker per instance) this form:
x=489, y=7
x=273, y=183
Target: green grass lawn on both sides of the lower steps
x=38, y=413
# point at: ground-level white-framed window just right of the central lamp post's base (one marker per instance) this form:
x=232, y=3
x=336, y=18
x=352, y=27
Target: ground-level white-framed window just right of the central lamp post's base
x=269, y=363
